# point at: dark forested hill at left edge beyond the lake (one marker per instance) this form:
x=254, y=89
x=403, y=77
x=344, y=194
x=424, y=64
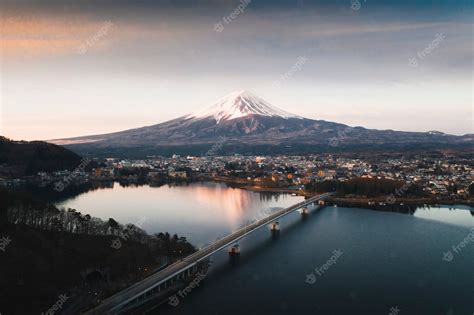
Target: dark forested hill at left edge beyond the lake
x=19, y=158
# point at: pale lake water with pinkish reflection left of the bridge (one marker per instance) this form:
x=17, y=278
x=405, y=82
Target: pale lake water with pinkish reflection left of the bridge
x=202, y=212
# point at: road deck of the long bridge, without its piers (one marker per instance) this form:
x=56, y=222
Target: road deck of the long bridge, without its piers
x=136, y=290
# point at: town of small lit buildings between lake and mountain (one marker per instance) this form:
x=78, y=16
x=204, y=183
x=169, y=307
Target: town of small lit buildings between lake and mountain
x=445, y=178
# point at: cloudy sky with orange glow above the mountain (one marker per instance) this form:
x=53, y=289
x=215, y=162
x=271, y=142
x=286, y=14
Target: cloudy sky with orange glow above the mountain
x=73, y=68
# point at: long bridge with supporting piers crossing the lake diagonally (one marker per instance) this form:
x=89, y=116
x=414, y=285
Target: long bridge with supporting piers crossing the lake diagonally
x=144, y=290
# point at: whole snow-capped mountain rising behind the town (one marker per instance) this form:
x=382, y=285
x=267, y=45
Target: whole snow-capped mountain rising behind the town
x=248, y=124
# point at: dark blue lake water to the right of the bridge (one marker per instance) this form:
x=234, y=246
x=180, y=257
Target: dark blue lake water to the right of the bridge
x=393, y=257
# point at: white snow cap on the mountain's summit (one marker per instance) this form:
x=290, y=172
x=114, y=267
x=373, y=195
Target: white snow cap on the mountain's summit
x=240, y=104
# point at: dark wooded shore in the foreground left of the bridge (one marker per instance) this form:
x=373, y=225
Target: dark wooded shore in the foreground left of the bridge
x=63, y=251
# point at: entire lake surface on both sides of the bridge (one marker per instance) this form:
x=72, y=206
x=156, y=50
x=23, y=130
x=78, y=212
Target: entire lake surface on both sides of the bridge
x=388, y=260
